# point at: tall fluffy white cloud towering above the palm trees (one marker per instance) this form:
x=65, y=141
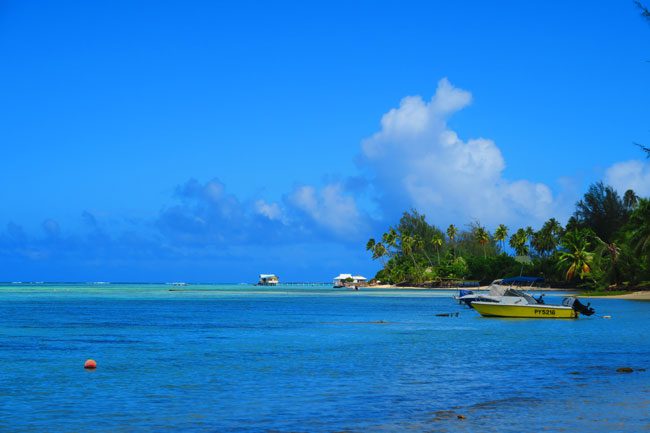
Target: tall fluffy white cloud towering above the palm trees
x=416, y=160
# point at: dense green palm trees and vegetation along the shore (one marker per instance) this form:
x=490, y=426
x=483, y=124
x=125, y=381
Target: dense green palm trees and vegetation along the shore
x=605, y=246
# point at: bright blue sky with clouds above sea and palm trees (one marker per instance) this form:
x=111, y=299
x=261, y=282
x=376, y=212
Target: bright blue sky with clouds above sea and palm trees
x=212, y=141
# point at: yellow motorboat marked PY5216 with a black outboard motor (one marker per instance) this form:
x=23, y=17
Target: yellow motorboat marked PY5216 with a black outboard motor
x=526, y=306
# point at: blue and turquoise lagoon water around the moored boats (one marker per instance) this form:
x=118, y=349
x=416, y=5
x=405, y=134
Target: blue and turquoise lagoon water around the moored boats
x=310, y=359
